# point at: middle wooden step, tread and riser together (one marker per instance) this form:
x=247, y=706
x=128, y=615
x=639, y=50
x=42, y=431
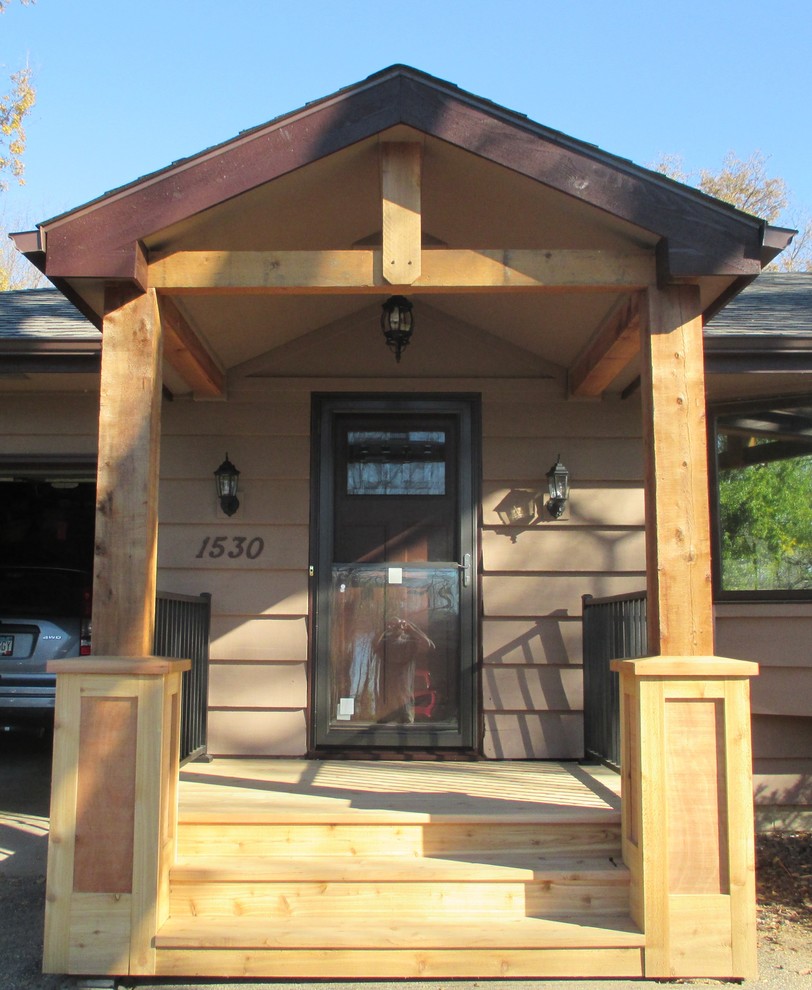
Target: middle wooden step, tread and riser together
x=399, y=888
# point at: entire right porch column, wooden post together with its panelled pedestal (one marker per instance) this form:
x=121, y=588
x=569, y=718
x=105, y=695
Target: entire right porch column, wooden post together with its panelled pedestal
x=685, y=714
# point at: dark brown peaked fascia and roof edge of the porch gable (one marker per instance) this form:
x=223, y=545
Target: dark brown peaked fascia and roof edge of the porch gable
x=698, y=235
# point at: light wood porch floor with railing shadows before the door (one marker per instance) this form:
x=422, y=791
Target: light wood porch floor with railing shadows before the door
x=357, y=791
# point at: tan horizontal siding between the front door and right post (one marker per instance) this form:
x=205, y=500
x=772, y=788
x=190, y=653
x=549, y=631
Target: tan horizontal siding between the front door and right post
x=533, y=577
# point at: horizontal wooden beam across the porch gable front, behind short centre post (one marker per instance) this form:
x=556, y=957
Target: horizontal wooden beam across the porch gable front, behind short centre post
x=361, y=271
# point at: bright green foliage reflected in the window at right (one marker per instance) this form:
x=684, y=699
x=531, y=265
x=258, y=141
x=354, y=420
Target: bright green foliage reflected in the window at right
x=765, y=516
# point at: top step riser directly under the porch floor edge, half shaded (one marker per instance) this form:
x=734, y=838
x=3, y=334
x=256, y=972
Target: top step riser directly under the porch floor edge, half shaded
x=215, y=840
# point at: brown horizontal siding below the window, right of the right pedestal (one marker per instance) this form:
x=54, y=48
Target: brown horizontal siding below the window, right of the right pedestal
x=778, y=637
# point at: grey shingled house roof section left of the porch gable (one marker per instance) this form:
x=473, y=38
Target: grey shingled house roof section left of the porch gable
x=42, y=314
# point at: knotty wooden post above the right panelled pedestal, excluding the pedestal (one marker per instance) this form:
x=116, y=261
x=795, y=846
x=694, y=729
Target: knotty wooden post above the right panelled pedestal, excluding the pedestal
x=680, y=613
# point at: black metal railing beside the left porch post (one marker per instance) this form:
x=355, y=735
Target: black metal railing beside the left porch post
x=182, y=626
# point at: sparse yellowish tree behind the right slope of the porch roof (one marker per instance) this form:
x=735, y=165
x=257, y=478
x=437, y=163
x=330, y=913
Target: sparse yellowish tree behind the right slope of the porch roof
x=746, y=184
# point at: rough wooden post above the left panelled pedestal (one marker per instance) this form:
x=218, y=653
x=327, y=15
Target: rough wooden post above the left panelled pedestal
x=127, y=485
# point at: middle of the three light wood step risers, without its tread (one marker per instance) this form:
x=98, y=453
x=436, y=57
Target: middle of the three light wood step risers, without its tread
x=401, y=901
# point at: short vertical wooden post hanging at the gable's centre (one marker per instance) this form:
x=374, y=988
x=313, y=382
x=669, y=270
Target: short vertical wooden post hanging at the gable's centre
x=402, y=222
